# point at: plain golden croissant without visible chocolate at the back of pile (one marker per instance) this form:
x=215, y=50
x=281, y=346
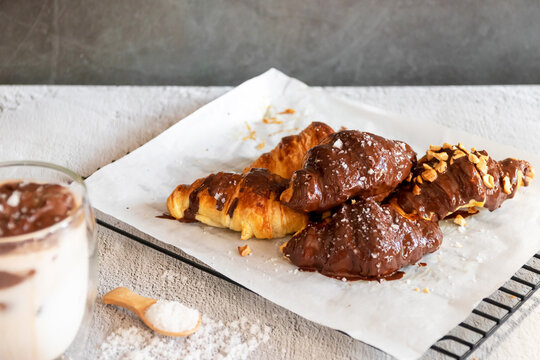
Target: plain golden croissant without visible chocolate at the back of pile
x=288, y=155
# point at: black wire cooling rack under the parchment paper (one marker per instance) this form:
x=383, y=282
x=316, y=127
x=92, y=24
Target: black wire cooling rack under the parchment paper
x=483, y=322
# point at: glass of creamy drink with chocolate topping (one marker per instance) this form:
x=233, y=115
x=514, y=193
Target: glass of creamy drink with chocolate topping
x=47, y=276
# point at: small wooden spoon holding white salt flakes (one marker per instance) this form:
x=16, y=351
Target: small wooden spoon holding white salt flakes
x=138, y=305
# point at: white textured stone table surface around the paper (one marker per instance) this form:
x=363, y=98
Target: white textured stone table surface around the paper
x=85, y=128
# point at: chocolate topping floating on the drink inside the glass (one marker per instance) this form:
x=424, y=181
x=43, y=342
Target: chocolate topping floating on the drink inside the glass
x=28, y=207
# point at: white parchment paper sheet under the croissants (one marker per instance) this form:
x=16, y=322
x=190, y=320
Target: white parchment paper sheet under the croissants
x=229, y=133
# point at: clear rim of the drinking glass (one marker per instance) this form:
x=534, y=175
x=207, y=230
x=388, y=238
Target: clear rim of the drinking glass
x=56, y=226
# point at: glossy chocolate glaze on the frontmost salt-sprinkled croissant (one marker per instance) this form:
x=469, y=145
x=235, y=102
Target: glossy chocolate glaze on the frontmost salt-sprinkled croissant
x=362, y=240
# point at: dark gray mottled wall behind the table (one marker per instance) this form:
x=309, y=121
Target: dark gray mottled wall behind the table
x=322, y=42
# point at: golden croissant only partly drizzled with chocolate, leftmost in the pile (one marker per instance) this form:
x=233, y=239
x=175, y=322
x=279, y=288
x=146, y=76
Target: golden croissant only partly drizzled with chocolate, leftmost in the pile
x=241, y=202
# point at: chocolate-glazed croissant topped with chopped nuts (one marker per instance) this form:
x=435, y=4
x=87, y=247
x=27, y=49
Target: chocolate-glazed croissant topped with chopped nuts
x=452, y=178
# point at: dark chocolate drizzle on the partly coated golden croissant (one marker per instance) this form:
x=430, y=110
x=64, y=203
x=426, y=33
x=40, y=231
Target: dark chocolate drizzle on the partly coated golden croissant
x=223, y=186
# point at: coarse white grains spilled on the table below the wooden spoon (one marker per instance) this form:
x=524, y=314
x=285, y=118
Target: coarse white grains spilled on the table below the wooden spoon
x=213, y=340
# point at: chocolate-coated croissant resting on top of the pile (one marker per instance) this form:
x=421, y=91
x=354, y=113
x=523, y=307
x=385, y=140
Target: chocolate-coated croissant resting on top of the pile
x=348, y=164
